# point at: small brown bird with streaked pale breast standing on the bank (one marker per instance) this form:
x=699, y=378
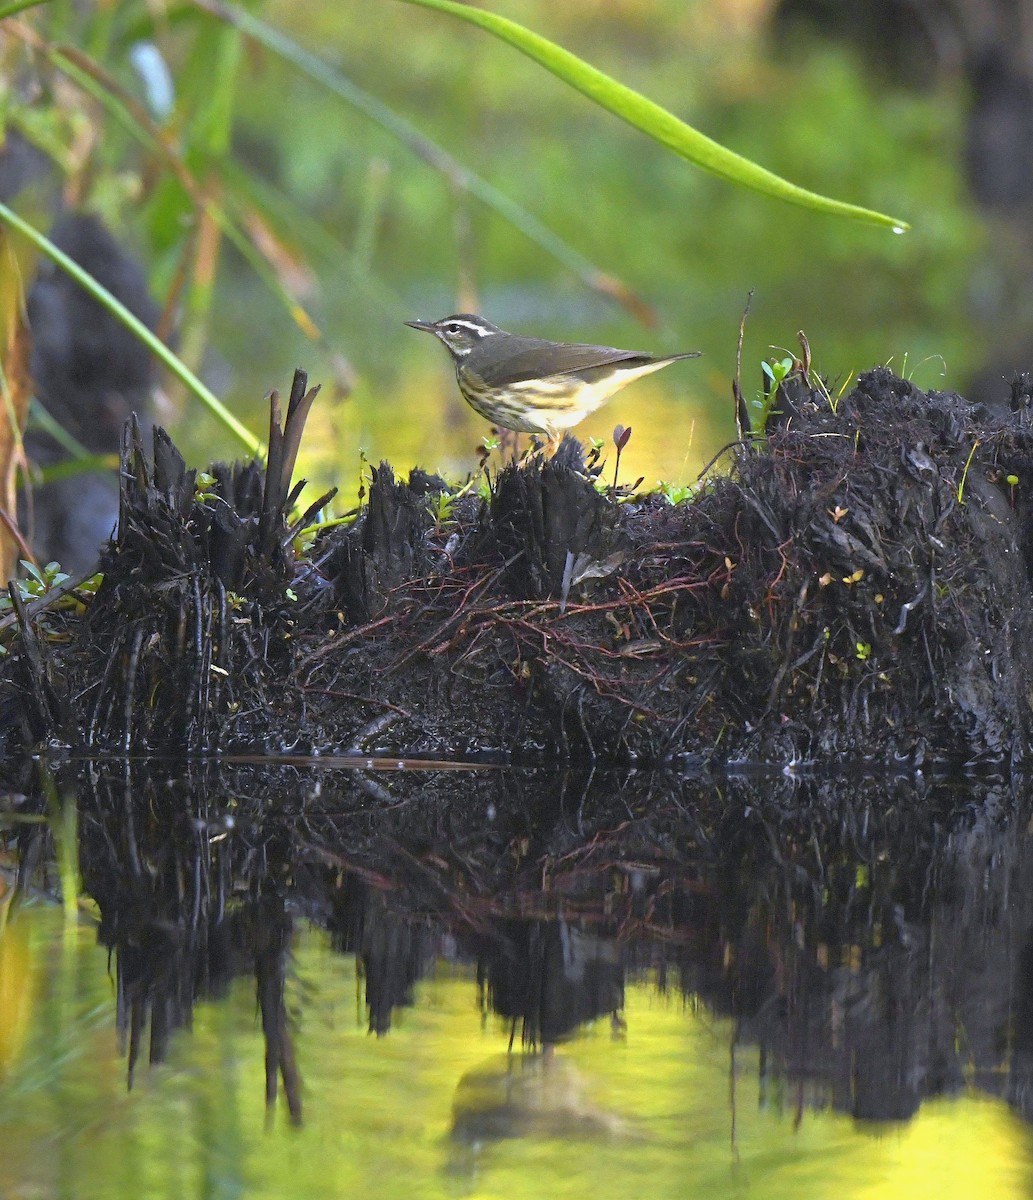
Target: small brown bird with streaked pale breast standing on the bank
x=531, y=386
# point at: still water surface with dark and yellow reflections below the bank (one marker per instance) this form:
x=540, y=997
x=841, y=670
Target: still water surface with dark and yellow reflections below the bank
x=503, y=983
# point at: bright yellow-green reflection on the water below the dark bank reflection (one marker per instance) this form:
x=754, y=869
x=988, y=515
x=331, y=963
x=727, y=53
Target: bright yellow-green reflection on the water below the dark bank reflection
x=439, y=1109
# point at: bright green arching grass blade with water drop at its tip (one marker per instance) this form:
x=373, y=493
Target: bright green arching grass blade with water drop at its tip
x=652, y=119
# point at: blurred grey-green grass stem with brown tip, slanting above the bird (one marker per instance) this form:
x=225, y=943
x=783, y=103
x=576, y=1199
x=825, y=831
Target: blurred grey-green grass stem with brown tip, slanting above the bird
x=458, y=175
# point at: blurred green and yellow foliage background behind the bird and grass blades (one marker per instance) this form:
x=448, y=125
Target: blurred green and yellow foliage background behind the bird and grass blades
x=361, y=235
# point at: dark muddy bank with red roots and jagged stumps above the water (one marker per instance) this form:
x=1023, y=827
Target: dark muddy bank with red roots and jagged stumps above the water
x=856, y=587
